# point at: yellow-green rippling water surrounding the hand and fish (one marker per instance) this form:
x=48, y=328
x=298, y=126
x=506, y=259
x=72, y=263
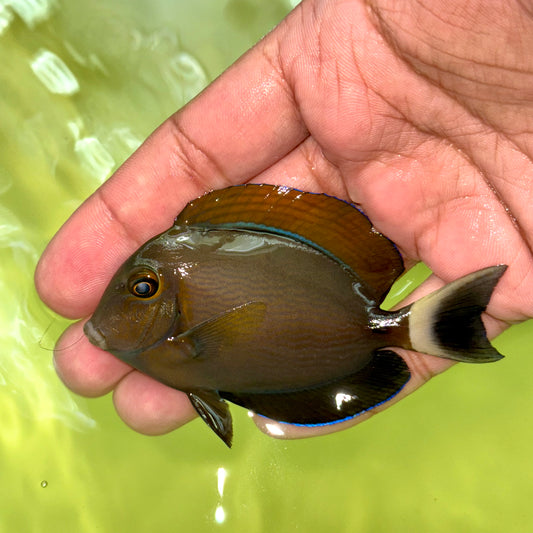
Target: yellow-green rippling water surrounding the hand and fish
x=80, y=87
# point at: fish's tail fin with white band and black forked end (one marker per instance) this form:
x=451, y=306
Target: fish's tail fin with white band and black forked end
x=447, y=323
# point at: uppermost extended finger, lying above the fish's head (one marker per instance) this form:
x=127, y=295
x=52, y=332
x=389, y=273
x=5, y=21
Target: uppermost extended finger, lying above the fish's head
x=223, y=137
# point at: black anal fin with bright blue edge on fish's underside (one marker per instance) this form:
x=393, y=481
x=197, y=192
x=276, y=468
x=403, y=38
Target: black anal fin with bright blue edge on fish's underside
x=377, y=382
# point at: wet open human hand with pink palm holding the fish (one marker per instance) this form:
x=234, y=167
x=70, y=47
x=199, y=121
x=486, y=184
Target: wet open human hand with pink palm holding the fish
x=418, y=113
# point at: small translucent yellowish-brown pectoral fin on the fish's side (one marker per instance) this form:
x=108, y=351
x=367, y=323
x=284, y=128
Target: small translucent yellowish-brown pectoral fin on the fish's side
x=222, y=329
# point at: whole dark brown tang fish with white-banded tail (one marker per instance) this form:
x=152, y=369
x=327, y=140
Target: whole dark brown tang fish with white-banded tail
x=269, y=297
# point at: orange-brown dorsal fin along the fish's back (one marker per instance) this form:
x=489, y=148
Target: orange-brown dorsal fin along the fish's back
x=328, y=224
